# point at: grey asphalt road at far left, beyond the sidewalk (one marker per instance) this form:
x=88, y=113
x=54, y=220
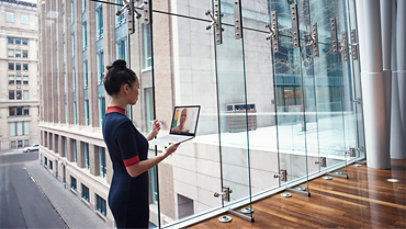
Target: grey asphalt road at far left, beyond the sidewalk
x=22, y=204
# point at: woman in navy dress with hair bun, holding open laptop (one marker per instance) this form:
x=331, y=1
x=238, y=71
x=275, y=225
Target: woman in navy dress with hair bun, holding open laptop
x=128, y=148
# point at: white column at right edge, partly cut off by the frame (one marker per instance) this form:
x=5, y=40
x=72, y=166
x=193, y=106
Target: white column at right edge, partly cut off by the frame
x=398, y=132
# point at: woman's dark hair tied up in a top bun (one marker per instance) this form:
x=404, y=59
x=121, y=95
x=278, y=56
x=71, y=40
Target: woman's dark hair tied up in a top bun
x=117, y=75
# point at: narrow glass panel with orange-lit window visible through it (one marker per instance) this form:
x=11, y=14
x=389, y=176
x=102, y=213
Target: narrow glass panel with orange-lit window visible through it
x=288, y=80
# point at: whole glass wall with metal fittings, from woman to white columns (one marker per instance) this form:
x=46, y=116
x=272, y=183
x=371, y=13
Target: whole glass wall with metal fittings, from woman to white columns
x=269, y=118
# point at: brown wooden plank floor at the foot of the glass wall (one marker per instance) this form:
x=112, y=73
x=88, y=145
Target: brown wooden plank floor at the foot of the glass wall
x=365, y=200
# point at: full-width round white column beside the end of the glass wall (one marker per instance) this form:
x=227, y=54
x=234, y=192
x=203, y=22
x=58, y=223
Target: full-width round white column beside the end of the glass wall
x=372, y=81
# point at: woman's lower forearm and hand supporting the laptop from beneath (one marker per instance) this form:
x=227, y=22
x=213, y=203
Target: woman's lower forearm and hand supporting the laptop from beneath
x=143, y=166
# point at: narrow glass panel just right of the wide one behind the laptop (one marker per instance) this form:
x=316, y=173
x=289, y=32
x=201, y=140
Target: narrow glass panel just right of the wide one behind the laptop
x=234, y=122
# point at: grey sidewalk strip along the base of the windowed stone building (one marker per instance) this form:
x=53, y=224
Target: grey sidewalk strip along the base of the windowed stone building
x=71, y=209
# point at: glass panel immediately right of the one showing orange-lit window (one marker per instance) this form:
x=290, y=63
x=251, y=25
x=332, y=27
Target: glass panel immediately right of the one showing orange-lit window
x=331, y=85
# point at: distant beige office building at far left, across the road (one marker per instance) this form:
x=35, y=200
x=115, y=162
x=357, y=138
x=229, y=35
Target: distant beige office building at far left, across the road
x=19, y=98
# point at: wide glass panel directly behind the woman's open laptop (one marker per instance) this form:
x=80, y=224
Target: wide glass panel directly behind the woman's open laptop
x=181, y=72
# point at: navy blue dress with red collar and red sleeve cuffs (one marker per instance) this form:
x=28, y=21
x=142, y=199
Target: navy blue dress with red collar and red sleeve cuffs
x=128, y=197
